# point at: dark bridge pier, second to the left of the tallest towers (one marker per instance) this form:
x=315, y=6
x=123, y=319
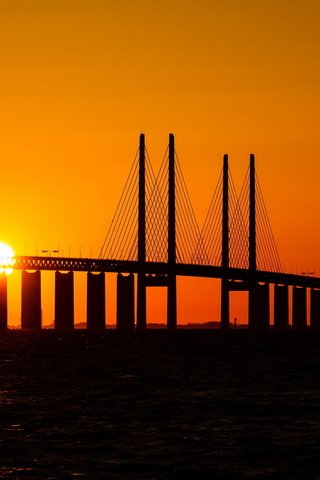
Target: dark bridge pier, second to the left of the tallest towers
x=96, y=302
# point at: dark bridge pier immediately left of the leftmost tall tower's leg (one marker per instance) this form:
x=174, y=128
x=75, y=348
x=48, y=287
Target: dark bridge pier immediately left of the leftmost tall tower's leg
x=125, y=302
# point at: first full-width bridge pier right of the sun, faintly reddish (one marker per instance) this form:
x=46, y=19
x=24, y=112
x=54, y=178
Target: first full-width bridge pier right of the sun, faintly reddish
x=31, y=300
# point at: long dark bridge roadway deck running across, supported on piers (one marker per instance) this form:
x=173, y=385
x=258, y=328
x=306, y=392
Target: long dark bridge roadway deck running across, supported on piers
x=161, y=268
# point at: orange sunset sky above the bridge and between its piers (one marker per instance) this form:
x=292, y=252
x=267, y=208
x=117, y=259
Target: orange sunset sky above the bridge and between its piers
x=80, y=80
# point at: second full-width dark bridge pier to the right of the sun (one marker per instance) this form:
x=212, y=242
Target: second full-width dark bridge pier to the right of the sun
x=64, y=305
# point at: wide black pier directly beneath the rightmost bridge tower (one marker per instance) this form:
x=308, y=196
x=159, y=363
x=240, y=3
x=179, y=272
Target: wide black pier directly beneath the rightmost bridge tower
x=259, y=306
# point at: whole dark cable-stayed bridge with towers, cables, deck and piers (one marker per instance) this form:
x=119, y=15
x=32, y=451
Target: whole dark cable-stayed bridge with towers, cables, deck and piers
x=154, y=236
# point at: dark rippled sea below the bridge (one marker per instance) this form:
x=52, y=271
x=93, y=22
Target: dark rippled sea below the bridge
x=158, y=405
